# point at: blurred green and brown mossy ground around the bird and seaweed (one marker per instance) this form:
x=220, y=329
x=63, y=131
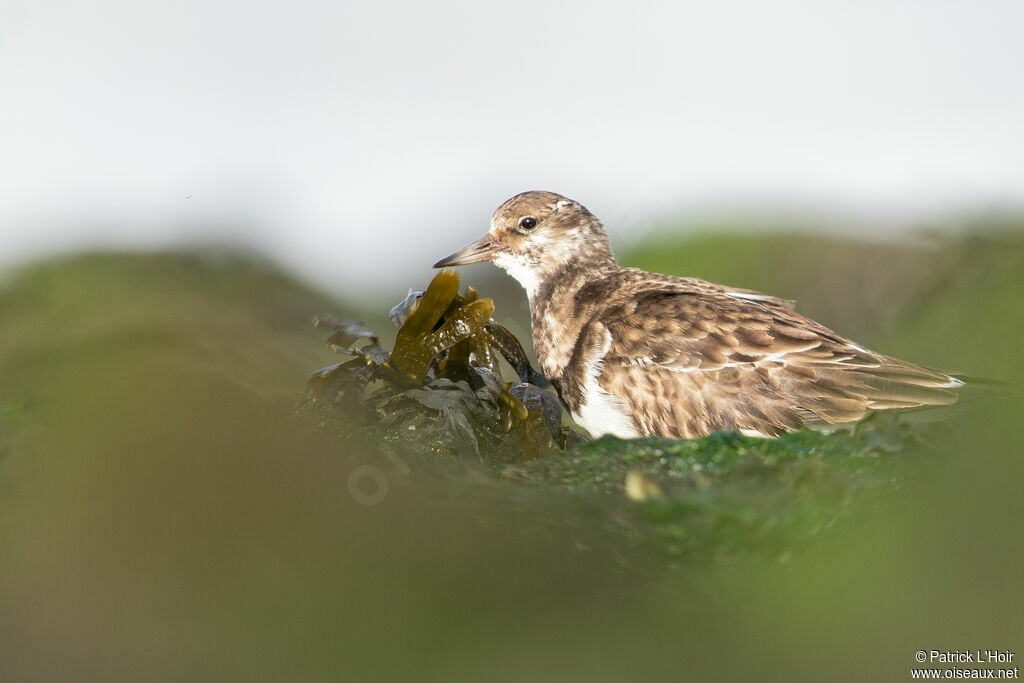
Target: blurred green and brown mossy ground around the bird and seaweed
x=167, y=514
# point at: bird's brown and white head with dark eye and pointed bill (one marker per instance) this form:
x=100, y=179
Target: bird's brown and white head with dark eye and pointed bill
x=535, y=236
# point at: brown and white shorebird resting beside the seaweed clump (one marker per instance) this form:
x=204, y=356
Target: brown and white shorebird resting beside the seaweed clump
x=634, y=354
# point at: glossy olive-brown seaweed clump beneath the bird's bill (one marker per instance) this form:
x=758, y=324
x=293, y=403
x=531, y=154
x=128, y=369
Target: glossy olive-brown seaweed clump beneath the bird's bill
x=444, y=381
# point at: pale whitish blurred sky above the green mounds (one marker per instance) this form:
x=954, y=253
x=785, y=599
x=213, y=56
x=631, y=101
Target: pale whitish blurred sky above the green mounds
x=353, y=139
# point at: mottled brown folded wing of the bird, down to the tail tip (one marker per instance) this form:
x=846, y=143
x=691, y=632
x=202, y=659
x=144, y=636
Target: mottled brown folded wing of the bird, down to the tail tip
x=692, y=364
